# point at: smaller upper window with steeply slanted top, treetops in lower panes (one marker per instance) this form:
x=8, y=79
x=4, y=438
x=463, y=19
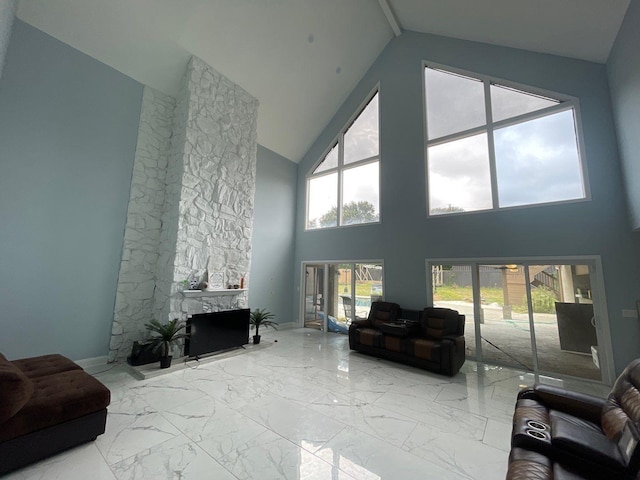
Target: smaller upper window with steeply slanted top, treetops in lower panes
x=344, y=188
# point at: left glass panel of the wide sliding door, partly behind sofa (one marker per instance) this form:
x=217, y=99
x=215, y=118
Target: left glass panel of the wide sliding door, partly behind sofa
x=452, y=288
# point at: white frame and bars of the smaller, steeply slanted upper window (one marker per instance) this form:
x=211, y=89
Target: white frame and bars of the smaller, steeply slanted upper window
x=341, y=167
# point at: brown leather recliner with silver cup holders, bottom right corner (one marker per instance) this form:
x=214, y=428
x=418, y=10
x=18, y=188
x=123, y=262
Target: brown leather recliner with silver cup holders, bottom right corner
x=596, y=438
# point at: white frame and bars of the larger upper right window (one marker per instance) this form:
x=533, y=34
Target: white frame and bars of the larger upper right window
x=566, y=103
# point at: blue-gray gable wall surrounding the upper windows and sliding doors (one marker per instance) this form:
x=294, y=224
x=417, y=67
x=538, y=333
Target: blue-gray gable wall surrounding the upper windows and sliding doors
x=406, y=236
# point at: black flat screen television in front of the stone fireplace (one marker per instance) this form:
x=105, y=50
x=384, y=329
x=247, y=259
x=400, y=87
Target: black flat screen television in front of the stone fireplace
x=216, y=331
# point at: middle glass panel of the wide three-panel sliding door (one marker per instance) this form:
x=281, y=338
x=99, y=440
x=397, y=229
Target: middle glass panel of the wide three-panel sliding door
x=504, y=321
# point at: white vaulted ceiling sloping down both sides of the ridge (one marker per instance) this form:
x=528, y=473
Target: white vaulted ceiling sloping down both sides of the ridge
x=301, y=58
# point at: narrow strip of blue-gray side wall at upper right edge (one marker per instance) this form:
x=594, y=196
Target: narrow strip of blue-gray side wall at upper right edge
x=624, y=79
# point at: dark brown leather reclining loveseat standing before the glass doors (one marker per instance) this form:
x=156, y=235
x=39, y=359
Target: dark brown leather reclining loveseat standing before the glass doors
x=435, y=341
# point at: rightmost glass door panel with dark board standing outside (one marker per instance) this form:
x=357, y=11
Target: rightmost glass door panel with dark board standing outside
x=564, y=322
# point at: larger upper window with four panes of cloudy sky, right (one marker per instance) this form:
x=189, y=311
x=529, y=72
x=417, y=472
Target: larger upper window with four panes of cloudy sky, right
x=493, y=146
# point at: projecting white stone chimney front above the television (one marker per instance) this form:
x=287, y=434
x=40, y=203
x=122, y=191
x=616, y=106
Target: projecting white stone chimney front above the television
x=217, y=188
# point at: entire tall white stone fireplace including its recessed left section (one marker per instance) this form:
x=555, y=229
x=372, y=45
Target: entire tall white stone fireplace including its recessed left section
x=191, y=203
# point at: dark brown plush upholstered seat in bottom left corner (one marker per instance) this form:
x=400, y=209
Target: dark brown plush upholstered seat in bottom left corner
x=47, y=404
